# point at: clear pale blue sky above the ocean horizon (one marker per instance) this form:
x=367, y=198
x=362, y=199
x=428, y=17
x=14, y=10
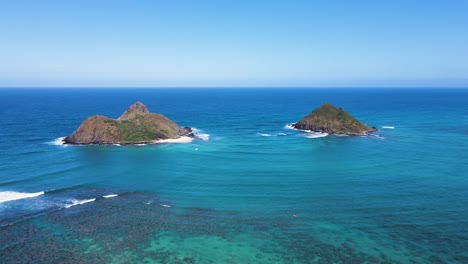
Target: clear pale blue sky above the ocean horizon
x=387, y=43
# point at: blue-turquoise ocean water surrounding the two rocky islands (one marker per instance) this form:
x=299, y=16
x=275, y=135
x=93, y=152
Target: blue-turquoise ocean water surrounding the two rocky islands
x=253, y=192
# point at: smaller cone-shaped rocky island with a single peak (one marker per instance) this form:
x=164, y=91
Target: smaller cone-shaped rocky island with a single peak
x=333, y=120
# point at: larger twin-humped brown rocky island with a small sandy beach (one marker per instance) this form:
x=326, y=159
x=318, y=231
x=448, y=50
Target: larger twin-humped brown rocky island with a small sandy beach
x=135, y=126
